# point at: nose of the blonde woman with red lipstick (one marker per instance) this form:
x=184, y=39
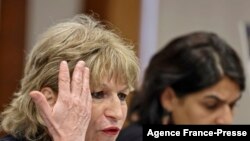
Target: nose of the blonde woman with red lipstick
x=114, y=109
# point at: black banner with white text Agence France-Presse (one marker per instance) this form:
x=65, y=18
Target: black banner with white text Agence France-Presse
x=164, y=132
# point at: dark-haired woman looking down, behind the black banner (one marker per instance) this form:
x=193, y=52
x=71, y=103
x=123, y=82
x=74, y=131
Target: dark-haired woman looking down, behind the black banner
x=195, y=79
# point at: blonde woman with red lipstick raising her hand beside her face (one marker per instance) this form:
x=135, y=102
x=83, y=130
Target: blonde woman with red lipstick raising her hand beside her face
x=75, y=84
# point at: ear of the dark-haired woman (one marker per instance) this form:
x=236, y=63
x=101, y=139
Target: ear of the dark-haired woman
x=168, y=99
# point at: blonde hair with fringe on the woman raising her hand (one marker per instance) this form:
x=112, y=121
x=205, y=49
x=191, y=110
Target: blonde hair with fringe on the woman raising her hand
x=82, y=38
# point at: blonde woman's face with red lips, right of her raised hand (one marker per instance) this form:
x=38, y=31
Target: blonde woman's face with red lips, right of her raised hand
x=109, y=111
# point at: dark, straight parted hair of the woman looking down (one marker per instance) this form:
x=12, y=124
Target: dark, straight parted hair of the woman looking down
x=187, y=64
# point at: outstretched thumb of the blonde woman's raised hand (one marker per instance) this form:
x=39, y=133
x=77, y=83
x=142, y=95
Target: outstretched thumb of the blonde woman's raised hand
x=44, y=108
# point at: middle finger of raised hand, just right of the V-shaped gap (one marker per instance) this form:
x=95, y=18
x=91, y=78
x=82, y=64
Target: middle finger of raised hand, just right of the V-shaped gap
x=77, y=79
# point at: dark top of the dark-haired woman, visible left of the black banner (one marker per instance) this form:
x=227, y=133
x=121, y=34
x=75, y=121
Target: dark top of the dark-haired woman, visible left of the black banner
x=131, y=133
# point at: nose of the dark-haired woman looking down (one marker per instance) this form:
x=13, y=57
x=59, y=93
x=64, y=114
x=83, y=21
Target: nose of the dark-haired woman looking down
x=225, y=116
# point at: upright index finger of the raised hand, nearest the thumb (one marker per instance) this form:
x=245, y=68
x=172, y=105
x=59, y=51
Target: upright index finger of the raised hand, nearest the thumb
x=64, y=80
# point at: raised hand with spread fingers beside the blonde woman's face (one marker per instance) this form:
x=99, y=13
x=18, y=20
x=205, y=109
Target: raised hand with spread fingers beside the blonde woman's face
x=68, y=119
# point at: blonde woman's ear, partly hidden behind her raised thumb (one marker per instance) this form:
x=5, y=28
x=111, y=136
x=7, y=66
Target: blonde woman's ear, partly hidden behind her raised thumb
x=50, y=95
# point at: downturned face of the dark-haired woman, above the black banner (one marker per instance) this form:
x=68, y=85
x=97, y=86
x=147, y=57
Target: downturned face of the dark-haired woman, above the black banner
x=213, y=105
